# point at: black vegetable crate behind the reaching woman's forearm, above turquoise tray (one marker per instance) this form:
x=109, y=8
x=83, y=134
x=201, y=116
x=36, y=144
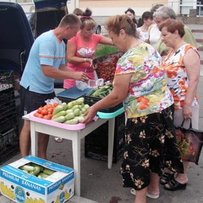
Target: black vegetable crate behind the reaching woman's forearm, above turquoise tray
x=92, y=100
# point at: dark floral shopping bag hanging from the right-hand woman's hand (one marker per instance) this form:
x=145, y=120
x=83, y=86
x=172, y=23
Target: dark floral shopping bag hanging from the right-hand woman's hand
x=189, y=142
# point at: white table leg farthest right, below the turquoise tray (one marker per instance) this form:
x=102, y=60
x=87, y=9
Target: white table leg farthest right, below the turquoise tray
x=111, y=129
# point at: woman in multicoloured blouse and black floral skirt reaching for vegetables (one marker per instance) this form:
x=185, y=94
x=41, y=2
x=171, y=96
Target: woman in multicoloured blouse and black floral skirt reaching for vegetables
x=140, y=83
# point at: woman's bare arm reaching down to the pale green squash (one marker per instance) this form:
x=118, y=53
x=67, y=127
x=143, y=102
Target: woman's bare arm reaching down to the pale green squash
x=117, y=95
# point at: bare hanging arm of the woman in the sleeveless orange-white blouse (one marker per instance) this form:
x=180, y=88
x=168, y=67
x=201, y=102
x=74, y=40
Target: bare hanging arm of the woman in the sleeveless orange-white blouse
x=192, y=65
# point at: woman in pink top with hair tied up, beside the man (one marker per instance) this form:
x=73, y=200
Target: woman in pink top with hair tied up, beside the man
x=82, y=47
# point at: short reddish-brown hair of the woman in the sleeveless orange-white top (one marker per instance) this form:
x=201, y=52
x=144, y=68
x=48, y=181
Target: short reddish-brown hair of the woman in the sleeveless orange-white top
x=172, y=25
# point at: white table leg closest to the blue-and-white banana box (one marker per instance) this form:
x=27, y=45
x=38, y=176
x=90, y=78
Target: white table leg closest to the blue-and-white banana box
x=76, y=147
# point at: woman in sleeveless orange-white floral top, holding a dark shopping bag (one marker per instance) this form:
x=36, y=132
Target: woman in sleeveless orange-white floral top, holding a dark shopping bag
x=182, y=66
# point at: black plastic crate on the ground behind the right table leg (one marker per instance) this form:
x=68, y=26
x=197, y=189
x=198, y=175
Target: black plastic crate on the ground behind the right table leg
x=96, y=143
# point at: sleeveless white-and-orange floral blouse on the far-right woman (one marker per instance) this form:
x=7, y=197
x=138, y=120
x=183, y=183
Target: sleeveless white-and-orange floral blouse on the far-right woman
x=177, y=75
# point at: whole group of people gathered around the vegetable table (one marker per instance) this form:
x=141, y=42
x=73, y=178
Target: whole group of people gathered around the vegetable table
x=155, y=79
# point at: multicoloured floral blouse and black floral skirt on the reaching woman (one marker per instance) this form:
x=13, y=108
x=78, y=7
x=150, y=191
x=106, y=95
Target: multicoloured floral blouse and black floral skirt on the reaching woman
x=149, y=136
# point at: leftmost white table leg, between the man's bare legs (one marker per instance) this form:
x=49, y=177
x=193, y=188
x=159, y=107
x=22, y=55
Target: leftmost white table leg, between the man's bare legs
x=34, y=139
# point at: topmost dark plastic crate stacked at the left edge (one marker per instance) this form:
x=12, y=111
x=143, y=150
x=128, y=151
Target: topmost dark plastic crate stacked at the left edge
x=6, y=80
